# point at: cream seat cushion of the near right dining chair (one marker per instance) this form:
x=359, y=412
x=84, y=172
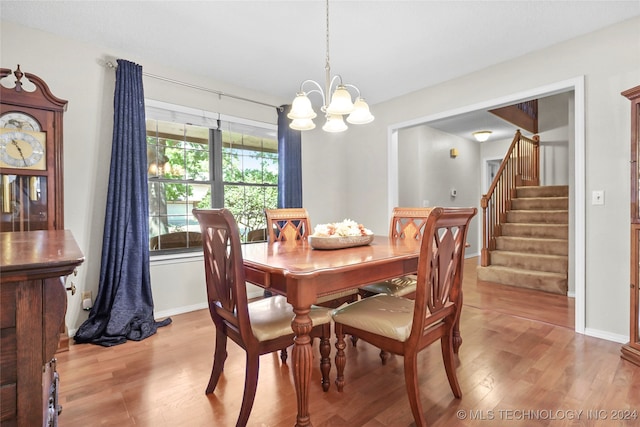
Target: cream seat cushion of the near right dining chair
x=381, y=314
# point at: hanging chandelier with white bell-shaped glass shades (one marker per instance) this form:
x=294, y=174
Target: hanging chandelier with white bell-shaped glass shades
x=334, y=109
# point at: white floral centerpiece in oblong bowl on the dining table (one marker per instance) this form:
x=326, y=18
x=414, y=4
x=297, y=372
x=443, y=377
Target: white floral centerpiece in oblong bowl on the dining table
x=338, y=235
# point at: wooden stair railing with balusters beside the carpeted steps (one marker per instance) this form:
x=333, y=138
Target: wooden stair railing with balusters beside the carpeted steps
x=520, y=167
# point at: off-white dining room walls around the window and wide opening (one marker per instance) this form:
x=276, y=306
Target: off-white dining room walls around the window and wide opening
x=346, y=175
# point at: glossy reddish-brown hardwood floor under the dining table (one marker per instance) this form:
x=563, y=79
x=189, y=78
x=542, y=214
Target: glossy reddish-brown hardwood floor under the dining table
x=520, y=364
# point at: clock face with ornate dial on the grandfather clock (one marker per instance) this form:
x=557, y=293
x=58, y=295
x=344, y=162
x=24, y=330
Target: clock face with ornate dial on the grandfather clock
x=22, y=150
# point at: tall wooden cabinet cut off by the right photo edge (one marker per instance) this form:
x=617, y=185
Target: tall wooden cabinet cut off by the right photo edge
x=631, y=350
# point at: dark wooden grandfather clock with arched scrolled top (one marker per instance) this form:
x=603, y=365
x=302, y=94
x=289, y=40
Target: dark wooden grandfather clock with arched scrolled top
x=31, y=162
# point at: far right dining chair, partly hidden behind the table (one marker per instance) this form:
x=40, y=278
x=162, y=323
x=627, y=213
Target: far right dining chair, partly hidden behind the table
x=406, y=223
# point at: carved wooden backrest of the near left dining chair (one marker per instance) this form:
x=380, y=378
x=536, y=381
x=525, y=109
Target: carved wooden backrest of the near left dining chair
x=224, y=271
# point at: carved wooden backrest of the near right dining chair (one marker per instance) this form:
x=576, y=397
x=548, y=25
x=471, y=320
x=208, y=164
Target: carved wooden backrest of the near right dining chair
x=440, y=266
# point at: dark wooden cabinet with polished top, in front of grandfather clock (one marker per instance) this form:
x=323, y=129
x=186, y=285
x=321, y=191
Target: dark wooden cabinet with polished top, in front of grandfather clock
x=34, y=301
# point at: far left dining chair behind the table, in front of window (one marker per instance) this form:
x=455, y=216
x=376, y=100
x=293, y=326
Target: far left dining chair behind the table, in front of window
x=289, y=224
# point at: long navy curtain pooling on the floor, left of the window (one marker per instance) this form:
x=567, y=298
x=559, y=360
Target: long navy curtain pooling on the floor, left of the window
x=123, y=308
